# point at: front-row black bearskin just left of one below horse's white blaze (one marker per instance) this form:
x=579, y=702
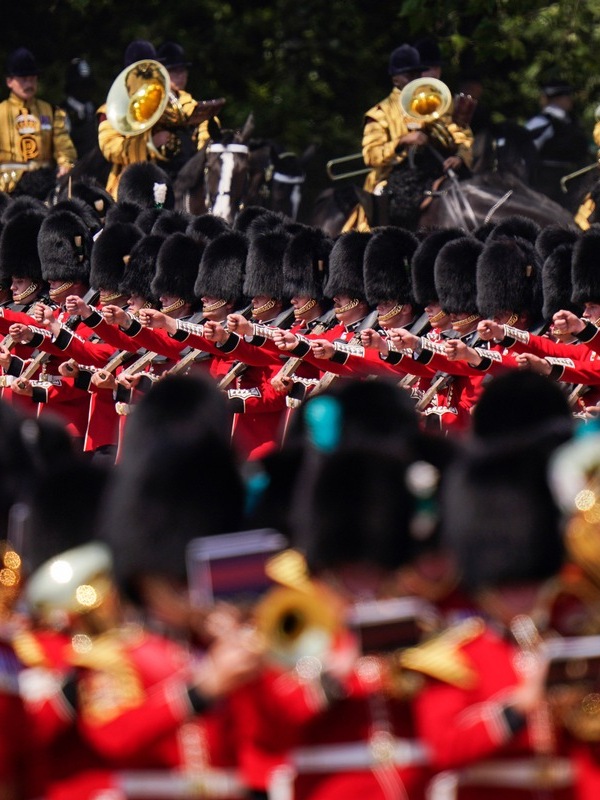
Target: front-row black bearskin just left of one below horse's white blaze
x=177, y=268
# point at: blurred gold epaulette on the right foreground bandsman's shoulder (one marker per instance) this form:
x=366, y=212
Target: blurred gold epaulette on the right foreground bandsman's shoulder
x=441, y=657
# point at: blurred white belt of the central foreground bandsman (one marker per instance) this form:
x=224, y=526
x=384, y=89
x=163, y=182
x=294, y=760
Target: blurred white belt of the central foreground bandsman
x=356, y=756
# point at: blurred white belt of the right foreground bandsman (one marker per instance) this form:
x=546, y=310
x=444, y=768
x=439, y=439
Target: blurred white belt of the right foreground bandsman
x=525, y=773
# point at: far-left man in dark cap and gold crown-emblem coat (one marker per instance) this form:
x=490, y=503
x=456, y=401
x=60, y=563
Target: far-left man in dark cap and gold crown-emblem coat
x=33, y=133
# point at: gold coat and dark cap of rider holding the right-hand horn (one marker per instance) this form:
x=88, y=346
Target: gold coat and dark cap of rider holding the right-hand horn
x=387, y=139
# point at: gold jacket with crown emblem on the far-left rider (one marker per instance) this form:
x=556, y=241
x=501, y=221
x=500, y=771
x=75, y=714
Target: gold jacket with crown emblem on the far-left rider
x=35, y=131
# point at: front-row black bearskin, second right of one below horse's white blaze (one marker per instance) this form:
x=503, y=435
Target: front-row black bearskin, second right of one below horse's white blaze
x=306, y=263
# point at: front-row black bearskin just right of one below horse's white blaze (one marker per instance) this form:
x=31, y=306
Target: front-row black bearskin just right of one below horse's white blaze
x=264, y=265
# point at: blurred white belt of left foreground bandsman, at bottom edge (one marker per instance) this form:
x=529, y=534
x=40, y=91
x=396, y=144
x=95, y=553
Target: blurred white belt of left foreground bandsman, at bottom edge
x=159, y=784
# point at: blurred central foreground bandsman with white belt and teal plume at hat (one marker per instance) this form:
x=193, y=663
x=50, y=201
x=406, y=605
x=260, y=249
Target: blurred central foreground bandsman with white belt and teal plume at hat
x=357, y=736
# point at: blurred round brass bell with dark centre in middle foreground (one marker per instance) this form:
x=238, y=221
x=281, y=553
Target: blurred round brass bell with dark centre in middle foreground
x=296, y=625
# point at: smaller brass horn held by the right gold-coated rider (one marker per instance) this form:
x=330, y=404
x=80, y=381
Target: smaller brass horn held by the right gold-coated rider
x=424, y=102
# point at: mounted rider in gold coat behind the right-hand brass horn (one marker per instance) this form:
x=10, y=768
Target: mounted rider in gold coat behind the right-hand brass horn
x=392, y=143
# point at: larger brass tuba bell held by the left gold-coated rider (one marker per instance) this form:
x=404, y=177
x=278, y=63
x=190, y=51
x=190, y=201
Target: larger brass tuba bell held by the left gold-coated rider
x=138, y=97
